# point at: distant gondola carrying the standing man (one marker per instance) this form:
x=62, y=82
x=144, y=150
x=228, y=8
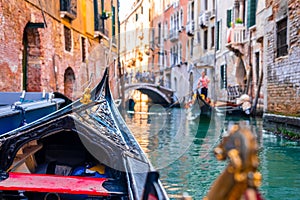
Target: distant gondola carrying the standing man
x=198, y=107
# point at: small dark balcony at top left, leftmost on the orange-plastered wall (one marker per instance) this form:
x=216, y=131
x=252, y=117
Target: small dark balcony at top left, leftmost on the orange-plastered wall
x=68, y=9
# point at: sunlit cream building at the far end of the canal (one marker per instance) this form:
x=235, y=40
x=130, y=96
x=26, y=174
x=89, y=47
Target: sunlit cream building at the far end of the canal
x=135, y=37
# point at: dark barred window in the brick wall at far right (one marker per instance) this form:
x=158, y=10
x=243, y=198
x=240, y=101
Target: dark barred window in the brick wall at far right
x=282, y=37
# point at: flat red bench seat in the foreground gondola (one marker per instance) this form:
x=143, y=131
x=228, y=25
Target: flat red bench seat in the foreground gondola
x=57, y=184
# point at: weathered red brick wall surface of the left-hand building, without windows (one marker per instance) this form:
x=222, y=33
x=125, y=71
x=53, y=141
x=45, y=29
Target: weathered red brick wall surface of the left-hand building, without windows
x=46, y=53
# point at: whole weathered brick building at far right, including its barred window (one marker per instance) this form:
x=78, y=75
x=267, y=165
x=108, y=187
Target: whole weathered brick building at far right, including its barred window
x=282, y=49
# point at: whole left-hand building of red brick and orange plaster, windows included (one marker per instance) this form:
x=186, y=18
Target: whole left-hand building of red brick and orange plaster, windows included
x=56, y=45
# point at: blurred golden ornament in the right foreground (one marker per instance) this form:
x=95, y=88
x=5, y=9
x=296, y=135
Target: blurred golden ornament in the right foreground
x=240, y=179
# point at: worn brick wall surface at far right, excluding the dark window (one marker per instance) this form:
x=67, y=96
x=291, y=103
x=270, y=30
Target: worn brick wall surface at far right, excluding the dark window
x=283, y=73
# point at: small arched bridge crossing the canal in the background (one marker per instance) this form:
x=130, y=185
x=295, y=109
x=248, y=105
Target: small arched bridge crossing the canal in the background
x=158, y=94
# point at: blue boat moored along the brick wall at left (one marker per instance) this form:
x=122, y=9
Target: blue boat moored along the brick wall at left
x=19, y=108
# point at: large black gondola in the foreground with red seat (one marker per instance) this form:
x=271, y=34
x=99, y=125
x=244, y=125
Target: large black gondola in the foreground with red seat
x=82, y=151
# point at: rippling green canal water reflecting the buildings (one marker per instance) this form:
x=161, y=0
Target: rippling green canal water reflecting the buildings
x=182, y=151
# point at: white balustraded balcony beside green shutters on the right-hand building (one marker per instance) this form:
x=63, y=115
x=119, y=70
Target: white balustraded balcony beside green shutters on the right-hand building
x=236, y=38
